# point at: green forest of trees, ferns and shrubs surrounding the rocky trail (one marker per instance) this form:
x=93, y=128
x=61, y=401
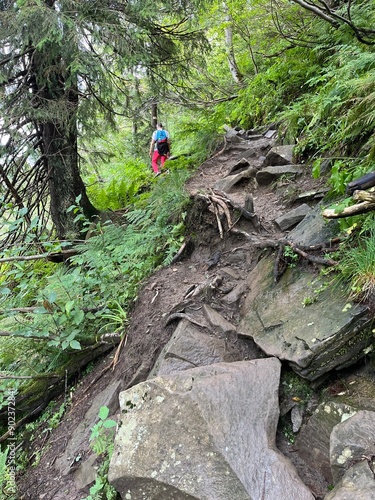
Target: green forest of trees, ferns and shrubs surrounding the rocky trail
x=82, y=85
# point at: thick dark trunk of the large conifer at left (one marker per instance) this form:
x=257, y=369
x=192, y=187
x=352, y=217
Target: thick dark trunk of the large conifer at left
x=59, y=139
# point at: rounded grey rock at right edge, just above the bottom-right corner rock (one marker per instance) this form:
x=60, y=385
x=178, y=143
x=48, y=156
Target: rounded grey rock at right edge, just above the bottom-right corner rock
x=350, y=441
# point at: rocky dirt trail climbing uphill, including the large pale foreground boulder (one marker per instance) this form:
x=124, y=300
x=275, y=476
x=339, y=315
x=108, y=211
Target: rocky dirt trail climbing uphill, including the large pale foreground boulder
x=187, y=318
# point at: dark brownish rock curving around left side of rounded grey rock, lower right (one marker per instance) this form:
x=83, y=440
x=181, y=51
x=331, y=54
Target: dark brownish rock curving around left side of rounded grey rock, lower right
x=313, y=440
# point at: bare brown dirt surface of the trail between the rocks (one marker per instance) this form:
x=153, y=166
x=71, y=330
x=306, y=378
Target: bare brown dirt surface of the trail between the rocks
x=160, y=295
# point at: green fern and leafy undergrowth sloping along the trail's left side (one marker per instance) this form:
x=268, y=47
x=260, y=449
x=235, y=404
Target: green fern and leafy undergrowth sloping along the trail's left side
x=57, y=313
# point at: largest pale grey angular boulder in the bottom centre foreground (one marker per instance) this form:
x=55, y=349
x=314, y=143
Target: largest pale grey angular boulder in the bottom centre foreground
x=206, y=433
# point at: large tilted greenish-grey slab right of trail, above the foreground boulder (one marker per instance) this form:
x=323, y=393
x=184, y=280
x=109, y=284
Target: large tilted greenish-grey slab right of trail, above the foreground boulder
x=323, y=336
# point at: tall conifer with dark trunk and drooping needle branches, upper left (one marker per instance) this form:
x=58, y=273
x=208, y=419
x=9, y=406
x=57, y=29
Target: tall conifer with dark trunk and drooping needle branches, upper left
x=62, y=63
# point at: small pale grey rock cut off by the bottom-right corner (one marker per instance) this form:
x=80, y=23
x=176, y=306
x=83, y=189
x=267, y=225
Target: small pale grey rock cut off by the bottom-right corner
x=357, y=484
